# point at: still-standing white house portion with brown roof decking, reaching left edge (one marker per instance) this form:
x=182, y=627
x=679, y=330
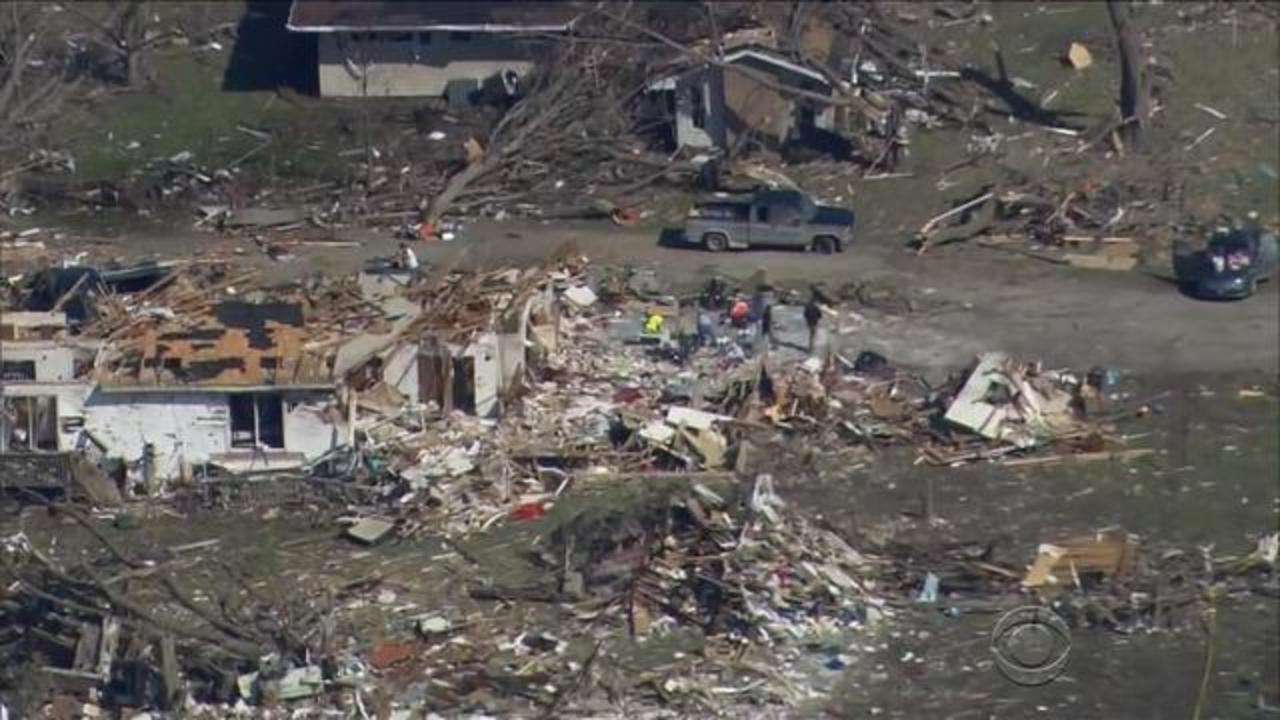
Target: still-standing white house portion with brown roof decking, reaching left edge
x=236, y=391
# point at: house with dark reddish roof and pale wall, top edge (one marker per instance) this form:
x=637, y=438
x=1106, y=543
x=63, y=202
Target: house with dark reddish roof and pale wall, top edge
x=427, y=49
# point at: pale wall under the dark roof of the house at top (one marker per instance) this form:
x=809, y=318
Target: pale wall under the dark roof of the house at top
x=413, y=69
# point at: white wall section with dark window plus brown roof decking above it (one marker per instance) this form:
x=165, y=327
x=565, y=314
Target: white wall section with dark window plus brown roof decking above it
x=237, y=389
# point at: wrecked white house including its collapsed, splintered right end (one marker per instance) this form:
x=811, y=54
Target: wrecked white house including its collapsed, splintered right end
x=252, y=388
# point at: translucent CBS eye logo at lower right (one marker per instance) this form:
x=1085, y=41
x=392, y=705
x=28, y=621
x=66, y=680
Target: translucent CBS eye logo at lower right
x=1031, y=645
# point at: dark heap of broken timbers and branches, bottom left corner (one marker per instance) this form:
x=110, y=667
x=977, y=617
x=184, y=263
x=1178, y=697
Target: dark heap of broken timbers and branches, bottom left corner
x=126, y=631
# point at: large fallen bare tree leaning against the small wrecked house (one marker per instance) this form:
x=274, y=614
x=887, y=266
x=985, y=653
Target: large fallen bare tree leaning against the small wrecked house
x=575, y=127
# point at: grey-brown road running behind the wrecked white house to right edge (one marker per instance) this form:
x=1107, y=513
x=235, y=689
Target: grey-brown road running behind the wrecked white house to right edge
x=989, y=300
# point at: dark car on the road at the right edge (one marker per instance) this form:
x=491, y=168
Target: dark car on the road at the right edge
x=1232, y=267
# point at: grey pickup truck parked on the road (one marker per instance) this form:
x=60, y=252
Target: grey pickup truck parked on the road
x=772, y=218
